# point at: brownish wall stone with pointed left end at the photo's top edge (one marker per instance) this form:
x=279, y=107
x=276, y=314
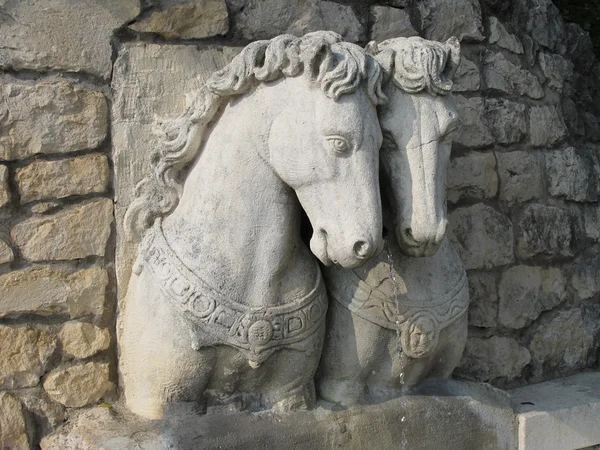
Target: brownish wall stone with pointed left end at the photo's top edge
x=194, y=19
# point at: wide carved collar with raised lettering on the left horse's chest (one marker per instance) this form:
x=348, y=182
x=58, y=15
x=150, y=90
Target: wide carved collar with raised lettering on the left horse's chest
x=215, y=319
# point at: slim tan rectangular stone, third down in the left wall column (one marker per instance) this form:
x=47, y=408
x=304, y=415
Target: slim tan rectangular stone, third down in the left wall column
x=58, y=179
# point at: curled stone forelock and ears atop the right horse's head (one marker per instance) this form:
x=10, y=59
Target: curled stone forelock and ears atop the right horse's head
x=417, y=65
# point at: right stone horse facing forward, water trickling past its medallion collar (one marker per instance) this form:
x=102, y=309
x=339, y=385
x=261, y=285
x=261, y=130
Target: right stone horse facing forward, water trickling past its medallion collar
x=402, y=317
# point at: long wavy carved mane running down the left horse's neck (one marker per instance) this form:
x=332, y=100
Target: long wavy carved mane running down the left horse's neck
x=337, y=67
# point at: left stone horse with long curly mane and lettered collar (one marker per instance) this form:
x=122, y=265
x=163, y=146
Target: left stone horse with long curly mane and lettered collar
x=226, y=303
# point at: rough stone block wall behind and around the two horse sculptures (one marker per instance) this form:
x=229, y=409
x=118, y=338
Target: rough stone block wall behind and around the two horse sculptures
x=524, y=182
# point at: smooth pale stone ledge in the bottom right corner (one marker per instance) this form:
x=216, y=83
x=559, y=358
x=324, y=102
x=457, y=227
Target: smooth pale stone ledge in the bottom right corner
x=562, y=413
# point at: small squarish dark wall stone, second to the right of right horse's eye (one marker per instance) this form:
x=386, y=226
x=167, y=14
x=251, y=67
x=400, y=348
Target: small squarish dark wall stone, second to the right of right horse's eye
x=506, y=120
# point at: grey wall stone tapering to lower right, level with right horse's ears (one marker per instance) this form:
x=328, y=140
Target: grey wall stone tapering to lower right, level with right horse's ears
x=503, y=75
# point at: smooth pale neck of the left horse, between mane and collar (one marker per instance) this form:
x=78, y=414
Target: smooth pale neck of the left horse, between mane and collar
x=237, y=223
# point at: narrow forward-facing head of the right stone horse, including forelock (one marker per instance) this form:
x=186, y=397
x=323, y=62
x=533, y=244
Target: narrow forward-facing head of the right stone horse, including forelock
x=417, y=123
